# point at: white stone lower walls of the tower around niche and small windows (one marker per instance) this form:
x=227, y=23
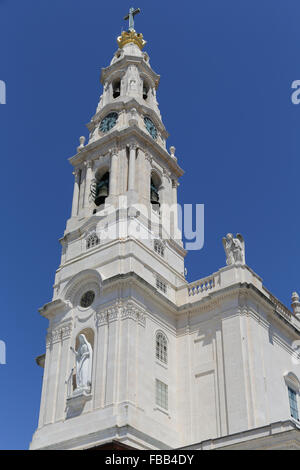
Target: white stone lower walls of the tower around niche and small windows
x=124, y=372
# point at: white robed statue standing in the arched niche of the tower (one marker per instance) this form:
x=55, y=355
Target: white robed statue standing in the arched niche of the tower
x=84, y=358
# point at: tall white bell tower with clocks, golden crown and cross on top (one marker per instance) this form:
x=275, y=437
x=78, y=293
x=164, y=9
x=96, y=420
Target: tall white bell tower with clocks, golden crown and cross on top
x=121, y=266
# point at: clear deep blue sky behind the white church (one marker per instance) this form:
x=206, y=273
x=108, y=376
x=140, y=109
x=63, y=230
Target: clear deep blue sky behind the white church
x=226, y=71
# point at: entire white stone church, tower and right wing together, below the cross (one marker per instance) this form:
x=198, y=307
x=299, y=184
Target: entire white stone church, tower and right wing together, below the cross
x=137, y=357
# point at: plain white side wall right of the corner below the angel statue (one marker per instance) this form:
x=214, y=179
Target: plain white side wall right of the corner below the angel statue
x=271, y=357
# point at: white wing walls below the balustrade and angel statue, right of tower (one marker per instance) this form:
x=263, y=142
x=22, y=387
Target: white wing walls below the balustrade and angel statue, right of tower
x=232, y=360
